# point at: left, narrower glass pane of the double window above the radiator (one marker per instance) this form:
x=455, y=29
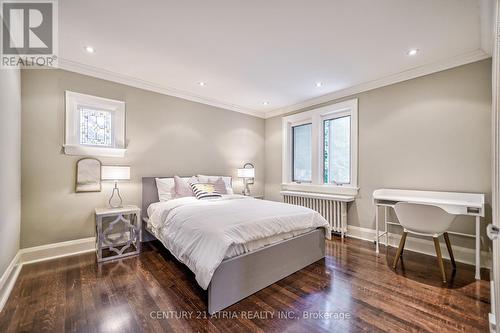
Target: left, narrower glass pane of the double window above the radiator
x=302, y=157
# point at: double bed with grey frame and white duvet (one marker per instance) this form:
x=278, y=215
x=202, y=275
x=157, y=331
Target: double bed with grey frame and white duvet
x=235, y=245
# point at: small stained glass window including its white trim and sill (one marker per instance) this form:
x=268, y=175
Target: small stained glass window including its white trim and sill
x=94, y=126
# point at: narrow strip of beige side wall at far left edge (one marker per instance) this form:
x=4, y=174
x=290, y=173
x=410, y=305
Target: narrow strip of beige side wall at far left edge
x=10, y=168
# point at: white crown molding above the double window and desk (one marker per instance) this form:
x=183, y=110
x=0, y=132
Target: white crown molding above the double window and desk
x=412, y=73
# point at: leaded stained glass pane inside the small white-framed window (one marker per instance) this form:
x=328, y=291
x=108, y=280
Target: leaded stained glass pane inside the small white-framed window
x=95, y=127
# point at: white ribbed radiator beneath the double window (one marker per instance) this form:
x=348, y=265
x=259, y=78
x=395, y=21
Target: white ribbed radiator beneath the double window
x=330, y=207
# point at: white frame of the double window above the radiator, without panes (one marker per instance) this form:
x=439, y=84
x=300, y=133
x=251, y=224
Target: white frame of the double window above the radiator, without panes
x=316, y=118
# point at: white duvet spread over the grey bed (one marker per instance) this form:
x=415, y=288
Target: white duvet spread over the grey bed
x=200, y=232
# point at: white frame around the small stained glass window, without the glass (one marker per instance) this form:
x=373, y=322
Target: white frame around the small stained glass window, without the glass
x=72, y=146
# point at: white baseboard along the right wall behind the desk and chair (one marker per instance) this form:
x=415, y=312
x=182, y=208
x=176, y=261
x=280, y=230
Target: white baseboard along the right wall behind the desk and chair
x=462, y=254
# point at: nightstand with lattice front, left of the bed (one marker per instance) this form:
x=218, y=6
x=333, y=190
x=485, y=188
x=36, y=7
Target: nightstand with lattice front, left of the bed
x=118, y=232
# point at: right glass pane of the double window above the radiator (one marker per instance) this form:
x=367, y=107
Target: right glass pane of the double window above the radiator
x=337, y=150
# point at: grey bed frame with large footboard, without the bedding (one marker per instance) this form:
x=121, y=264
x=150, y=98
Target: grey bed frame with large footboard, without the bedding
x=243, y=275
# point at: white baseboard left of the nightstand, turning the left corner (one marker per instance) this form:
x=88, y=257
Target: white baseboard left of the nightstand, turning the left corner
x=37, y=254
